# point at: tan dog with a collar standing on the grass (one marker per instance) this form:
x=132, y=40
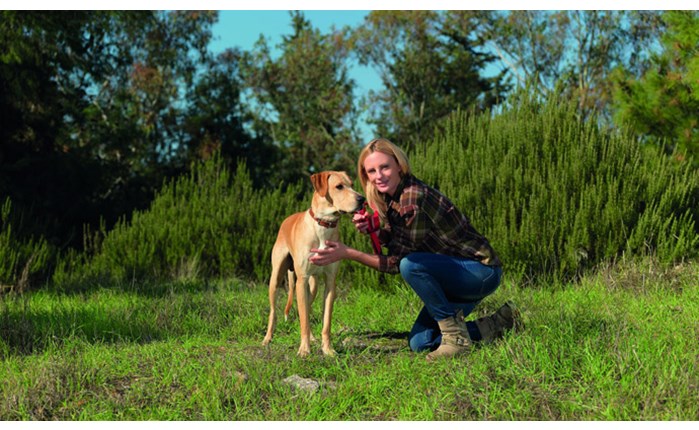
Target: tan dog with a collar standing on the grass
x=298, y=234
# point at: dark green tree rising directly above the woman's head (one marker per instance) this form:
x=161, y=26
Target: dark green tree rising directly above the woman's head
x=431, y=64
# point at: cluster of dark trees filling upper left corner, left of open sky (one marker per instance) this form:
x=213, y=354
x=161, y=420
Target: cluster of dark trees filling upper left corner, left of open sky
x=95, y=108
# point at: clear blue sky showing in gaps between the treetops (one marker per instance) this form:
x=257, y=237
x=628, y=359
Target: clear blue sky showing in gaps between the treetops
x=242, y=28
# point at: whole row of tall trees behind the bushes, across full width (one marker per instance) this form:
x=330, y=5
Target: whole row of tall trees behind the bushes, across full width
x=100, y=107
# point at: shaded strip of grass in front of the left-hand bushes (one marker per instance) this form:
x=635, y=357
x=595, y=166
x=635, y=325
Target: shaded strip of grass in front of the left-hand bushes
x=27, y=329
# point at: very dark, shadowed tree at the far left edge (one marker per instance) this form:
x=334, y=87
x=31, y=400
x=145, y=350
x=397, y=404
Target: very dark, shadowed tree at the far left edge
x=46, y=63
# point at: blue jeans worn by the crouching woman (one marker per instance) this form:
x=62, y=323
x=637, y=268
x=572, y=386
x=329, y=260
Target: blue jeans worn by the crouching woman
x=445, y=284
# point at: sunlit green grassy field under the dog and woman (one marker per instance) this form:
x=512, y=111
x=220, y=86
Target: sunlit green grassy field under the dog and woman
x=621, y=344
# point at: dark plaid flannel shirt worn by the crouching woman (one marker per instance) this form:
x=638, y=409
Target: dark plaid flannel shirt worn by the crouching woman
x=421, y=219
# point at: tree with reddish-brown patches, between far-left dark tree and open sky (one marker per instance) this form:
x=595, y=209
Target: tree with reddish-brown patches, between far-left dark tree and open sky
x=136, y=112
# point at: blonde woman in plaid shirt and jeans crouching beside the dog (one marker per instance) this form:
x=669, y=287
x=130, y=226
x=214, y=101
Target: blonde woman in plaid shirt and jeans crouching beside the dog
x=433, y=246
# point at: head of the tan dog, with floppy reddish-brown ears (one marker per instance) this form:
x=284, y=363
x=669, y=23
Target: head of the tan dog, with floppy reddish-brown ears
x=334, y=193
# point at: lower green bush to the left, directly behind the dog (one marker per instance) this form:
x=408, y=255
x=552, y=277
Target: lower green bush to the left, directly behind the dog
x=207, y=223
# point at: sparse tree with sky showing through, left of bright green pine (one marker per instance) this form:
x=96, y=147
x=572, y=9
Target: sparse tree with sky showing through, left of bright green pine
x=572, y=50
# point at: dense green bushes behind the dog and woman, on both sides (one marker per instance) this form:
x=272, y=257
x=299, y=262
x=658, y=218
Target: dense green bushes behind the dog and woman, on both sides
x=554, y=195
